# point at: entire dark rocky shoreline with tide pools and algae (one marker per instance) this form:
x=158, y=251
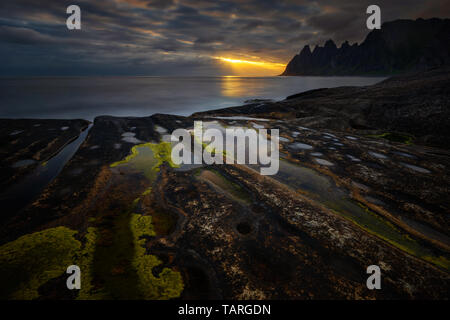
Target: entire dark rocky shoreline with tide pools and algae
x=364, y=180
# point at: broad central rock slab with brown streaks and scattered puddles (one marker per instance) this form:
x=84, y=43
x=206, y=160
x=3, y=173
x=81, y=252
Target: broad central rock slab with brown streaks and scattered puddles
x=230, y=233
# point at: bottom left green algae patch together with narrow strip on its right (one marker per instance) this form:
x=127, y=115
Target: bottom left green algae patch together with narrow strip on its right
x=32, y=260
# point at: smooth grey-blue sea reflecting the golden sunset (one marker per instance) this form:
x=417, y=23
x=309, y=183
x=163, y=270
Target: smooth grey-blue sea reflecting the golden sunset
x=88, y=97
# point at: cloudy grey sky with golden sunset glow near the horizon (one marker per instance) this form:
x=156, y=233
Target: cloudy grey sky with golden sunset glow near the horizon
x=182, y=37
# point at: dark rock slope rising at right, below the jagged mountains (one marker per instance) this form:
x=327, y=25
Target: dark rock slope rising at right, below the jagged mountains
x=416, y=104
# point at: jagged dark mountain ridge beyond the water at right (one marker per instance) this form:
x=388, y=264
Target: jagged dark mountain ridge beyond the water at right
x=399, y=46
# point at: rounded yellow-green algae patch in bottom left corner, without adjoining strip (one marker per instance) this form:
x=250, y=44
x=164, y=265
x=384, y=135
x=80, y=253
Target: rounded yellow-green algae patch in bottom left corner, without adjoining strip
x=33, y=259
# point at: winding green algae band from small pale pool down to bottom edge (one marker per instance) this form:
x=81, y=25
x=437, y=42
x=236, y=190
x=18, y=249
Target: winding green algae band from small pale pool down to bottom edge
x=124, y=267
